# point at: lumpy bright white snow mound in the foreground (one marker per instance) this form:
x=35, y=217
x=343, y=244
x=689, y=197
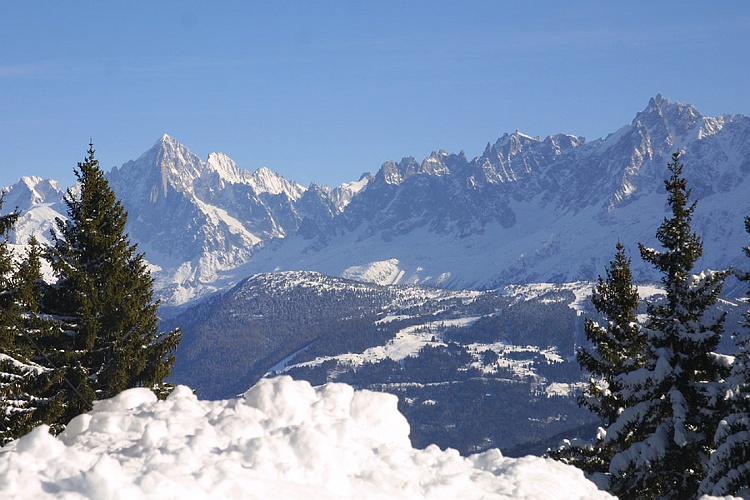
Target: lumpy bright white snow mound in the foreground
x=283, y=439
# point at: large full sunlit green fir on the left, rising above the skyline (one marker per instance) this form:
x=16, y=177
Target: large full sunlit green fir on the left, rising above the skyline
x=104, y=293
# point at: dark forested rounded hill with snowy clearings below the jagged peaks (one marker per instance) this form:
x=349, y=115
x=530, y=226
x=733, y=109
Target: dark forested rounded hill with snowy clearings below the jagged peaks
x=443, y=352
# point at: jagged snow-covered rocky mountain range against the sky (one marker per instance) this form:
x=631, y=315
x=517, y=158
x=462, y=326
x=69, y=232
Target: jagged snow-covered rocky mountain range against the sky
x=526, y=210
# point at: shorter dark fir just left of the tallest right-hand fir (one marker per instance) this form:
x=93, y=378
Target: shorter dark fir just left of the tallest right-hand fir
x=616, y=348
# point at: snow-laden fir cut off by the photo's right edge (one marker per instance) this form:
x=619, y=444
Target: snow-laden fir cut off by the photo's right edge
x=729, y=468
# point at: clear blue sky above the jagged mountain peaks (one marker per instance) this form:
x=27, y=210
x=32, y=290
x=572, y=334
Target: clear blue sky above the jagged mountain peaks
x=323, y=91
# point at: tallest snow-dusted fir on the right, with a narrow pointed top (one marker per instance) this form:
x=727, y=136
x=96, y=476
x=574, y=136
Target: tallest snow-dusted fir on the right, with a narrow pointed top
x=672, y=402
